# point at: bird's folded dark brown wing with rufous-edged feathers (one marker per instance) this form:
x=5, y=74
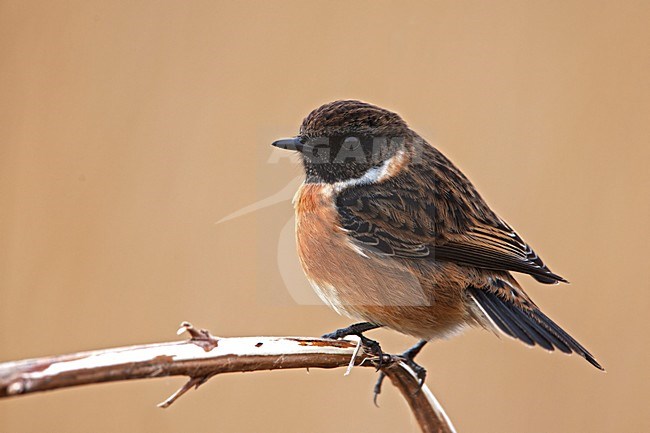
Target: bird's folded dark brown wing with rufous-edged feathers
x=435, y=212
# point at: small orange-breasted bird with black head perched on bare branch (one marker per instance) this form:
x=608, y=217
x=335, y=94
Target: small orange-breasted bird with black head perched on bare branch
x=390, y=233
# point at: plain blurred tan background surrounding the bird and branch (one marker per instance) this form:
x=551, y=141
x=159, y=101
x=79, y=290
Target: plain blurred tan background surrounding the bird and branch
x=127, y=129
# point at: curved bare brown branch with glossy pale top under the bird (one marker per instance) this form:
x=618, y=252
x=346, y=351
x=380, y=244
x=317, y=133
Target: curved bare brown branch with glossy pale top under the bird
x=204, y=356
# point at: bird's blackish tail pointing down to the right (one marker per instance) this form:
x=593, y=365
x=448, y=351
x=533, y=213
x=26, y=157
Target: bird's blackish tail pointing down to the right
x=530, y=326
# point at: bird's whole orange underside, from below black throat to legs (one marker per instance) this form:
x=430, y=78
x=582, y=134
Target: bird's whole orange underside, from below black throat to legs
x=365, y=285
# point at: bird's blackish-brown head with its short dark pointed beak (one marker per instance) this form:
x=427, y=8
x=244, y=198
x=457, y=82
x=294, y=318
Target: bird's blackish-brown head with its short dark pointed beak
x=344, y=140
